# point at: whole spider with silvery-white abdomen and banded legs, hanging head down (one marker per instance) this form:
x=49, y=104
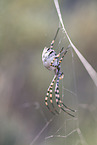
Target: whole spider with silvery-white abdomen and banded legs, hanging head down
x=52, y=62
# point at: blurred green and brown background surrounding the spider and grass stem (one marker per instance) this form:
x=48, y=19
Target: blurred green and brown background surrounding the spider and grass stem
x=26, y=27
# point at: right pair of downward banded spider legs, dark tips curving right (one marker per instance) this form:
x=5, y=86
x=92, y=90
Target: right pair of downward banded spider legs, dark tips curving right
x=58, y=100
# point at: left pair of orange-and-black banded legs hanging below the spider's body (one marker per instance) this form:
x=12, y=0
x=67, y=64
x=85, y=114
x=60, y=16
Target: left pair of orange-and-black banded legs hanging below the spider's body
x=49, y=92
